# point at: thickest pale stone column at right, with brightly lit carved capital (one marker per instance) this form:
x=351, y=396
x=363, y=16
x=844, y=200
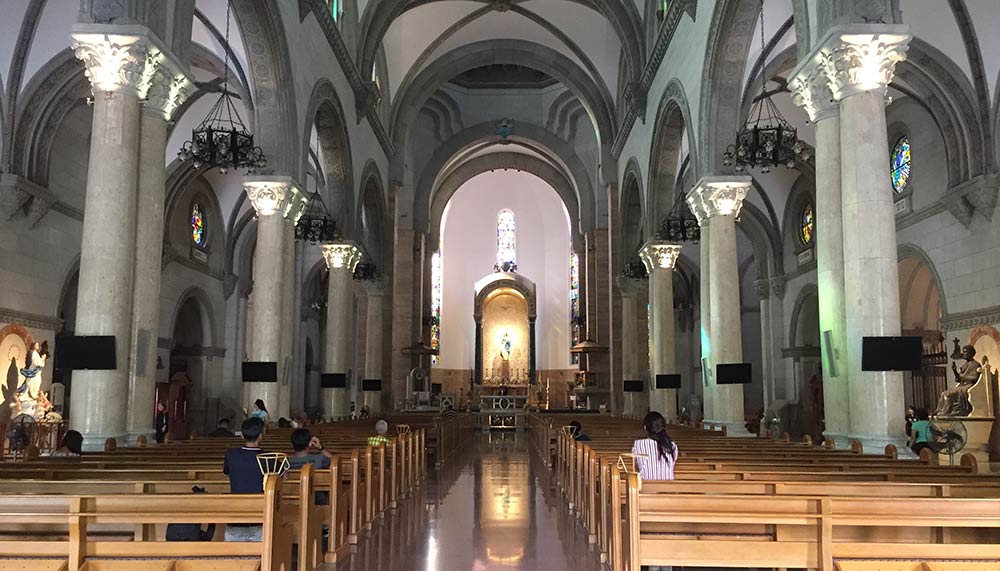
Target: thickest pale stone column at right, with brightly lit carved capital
x=859, y=61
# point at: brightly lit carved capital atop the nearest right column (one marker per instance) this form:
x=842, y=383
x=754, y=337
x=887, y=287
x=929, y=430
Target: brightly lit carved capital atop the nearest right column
x=861, y=58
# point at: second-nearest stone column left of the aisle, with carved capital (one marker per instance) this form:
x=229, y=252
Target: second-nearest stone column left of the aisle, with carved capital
x=274, y=198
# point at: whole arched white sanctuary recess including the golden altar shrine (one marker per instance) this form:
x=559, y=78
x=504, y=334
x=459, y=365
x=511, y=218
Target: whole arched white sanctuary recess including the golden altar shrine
x=502, y=266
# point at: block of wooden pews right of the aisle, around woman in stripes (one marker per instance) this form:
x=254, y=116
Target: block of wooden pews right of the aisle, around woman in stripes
x=756, y=503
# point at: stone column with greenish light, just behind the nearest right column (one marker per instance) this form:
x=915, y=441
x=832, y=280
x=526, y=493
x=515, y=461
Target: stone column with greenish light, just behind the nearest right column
x=812, y=92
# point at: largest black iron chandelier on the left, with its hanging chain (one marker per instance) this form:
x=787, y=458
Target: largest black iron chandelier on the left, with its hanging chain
x=221, y=139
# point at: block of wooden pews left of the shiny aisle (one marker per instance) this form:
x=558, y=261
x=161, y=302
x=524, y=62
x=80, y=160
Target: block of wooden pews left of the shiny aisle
x=109, y=511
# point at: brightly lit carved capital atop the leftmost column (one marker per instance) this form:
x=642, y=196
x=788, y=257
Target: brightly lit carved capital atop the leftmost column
x=114, y=62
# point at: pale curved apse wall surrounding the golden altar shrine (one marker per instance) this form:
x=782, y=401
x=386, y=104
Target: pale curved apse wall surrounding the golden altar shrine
x=540, y=247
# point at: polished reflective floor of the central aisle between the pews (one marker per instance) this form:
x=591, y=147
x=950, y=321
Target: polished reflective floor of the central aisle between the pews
x=489, y=508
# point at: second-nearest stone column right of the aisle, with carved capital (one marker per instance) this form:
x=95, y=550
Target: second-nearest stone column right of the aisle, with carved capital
x=719, y=199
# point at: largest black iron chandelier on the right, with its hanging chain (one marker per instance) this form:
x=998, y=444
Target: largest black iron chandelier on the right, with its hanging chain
x=766, y=138
